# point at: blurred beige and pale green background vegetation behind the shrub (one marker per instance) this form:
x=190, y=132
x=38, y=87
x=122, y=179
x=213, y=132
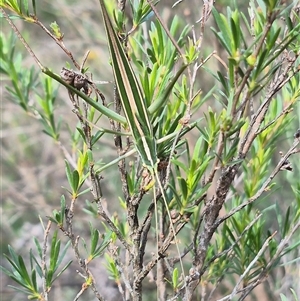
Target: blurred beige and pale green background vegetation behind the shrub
x=32, y=165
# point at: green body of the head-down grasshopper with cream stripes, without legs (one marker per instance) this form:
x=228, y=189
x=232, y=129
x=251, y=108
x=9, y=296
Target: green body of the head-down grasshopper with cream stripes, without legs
x=131, y=96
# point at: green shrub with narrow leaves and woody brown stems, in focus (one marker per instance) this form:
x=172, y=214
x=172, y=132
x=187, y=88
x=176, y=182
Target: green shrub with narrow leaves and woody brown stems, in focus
x=196, y=115
